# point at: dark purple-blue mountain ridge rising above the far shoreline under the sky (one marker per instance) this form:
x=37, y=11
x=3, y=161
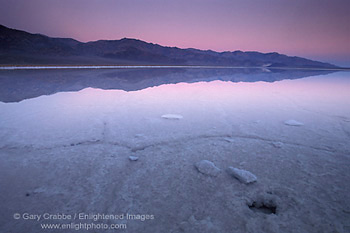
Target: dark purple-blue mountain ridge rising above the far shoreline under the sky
x=23, y=48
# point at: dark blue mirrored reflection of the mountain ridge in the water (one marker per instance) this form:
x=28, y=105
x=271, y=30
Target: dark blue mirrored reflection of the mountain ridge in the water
x=17, y=85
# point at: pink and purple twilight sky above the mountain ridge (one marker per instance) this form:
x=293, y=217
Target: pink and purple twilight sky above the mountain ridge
x=315, y=29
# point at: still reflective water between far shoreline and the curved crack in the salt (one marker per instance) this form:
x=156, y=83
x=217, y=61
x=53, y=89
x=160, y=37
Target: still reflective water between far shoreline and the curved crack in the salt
x=54, y=108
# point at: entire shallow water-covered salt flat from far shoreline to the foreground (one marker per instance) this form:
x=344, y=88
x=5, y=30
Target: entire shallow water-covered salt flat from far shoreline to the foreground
x=66, y=138
